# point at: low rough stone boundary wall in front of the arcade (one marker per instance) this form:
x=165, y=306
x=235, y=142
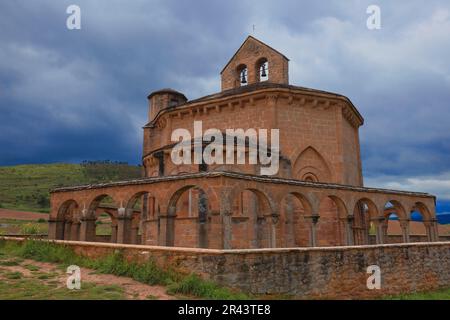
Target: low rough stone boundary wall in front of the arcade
x=332, y=272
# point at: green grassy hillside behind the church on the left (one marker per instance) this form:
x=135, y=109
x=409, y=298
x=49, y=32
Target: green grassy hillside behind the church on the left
x=26, y=187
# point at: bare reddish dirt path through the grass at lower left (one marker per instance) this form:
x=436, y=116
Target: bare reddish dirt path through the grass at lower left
x=133, y=289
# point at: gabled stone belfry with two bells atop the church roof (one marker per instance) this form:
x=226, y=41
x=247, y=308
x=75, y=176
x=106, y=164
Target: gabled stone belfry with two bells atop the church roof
x=255, y=62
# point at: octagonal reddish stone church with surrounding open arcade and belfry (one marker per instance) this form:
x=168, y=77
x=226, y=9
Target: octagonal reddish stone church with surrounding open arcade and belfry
x=317, y=197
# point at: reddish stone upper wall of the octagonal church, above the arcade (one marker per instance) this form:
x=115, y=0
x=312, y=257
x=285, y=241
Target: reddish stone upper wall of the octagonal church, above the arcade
x=333, y=141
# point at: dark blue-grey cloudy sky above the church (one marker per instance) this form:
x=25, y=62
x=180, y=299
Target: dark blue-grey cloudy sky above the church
x=70, y=95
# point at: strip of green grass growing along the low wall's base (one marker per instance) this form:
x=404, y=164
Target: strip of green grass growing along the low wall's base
x=147, y=272
